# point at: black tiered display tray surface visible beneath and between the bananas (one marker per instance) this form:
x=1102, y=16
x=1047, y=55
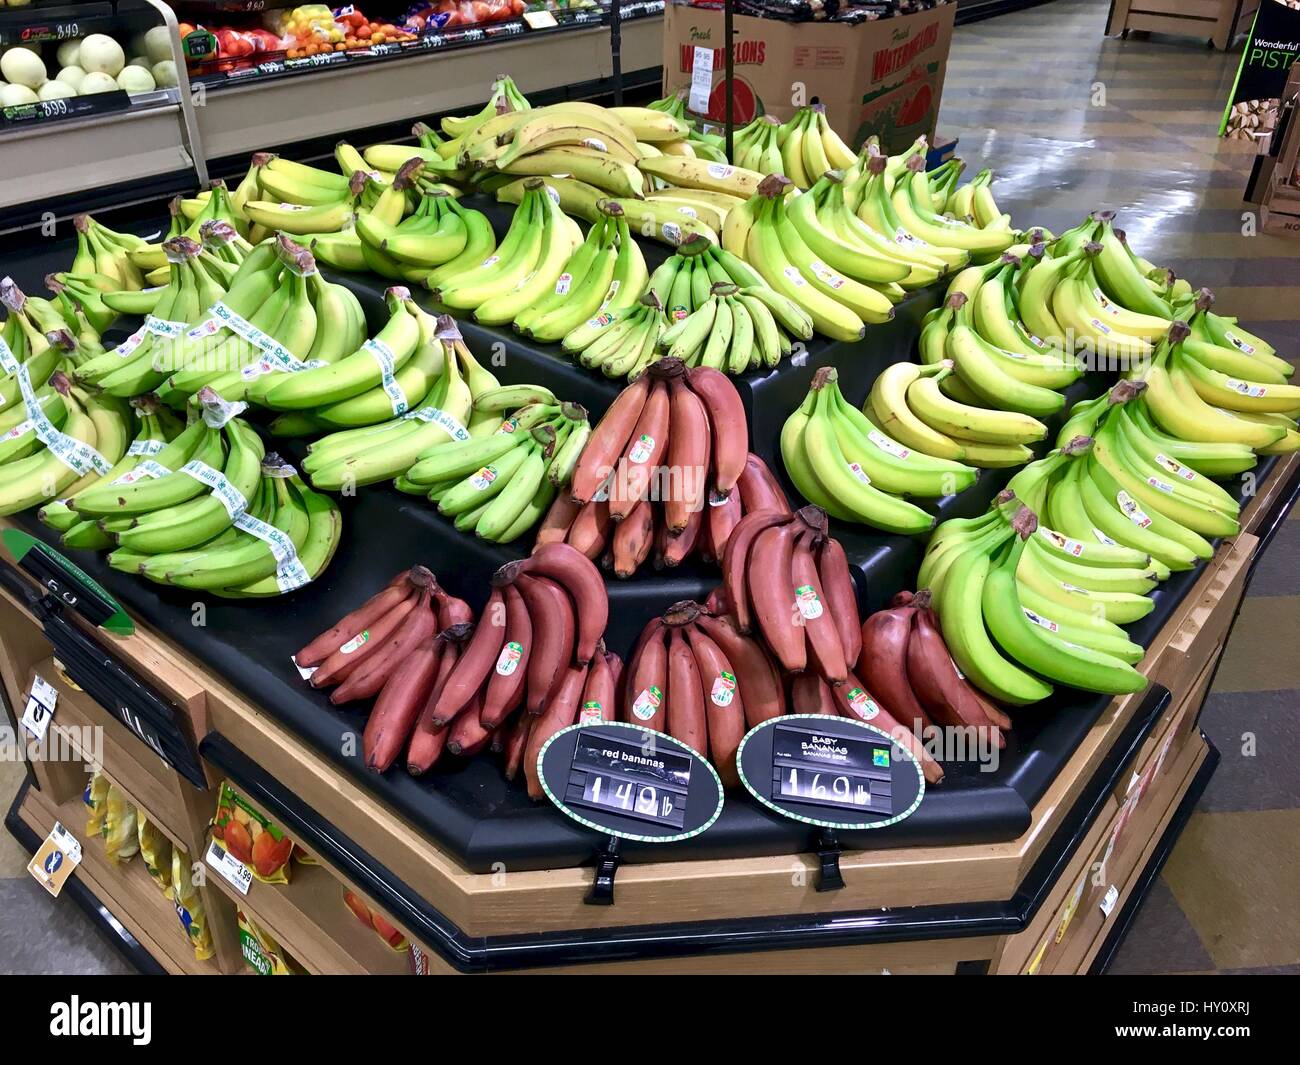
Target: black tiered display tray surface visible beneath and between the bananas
x=467, y=807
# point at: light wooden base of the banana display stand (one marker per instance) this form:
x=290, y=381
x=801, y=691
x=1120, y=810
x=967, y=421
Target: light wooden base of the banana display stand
x=1054, y=901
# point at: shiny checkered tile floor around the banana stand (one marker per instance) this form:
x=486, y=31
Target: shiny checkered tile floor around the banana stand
x=1073, y=122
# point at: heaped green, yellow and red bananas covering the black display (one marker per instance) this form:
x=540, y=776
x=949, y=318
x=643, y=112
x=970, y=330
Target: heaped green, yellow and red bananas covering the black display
x=523, y=246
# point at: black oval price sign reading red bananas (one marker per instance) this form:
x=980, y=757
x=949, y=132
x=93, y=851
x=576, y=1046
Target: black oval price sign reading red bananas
x=630, y=782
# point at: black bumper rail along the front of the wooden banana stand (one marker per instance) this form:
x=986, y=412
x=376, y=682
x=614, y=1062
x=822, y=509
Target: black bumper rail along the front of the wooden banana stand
x=686, y=940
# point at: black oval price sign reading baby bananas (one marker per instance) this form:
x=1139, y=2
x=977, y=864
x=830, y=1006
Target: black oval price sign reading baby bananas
x=835, y=773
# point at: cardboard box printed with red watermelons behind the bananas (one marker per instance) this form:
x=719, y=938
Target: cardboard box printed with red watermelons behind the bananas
x=883, y=77
